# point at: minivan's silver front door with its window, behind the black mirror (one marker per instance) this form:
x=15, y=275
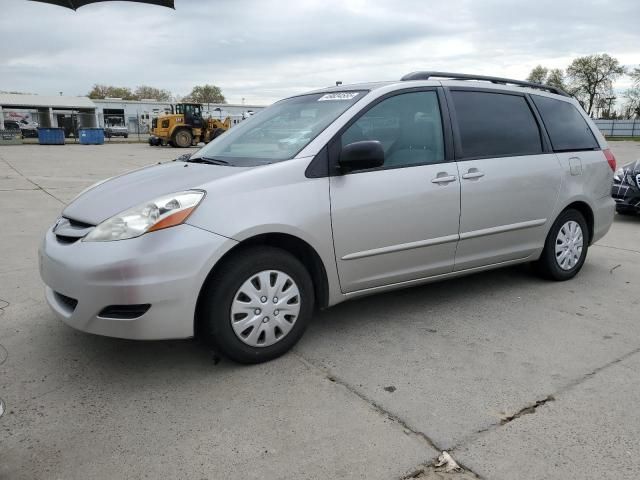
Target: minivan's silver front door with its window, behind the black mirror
x=398, y=222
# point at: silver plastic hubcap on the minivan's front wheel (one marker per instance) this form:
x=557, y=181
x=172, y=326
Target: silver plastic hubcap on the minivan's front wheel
x=265, y=308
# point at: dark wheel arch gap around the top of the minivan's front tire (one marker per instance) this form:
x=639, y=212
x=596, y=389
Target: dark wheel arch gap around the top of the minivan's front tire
x=292, y=244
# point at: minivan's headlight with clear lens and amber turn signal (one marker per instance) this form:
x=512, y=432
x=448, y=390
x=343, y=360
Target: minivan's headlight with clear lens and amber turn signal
x=164, y=212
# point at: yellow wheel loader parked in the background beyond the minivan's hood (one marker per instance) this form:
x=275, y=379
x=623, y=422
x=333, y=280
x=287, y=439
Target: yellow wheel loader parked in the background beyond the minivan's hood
x=185, y=127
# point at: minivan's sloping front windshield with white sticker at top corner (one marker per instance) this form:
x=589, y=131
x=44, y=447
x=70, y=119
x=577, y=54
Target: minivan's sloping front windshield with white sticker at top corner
x=280, y=131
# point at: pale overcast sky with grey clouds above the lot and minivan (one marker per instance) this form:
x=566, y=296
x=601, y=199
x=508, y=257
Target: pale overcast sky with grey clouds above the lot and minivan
x=263, y=50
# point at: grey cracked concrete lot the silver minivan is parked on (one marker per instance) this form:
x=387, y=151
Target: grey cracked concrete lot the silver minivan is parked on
x=374, y=390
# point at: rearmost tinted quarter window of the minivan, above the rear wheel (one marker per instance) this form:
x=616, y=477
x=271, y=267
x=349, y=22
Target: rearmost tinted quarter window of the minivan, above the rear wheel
x=567, y=128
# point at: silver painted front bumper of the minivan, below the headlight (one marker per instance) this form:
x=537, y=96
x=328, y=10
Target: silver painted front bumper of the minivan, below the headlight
x=165, y=269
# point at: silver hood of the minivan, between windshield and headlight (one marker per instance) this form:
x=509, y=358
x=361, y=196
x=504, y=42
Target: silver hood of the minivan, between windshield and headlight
x=125, y=191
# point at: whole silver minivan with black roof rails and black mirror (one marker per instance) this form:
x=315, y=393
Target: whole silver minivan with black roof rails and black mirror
x=329, y=196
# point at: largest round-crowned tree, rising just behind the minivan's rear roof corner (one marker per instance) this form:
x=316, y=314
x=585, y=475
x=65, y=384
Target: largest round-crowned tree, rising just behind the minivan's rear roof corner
x=592, y=77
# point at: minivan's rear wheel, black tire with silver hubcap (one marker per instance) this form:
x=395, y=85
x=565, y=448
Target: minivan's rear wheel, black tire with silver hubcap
x=565, y=248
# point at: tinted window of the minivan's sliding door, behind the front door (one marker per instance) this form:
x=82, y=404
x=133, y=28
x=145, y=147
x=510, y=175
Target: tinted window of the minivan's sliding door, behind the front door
x=495, y=125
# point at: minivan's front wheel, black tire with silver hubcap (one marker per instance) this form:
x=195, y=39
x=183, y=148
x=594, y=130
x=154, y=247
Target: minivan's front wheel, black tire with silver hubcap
x=257, y=305
